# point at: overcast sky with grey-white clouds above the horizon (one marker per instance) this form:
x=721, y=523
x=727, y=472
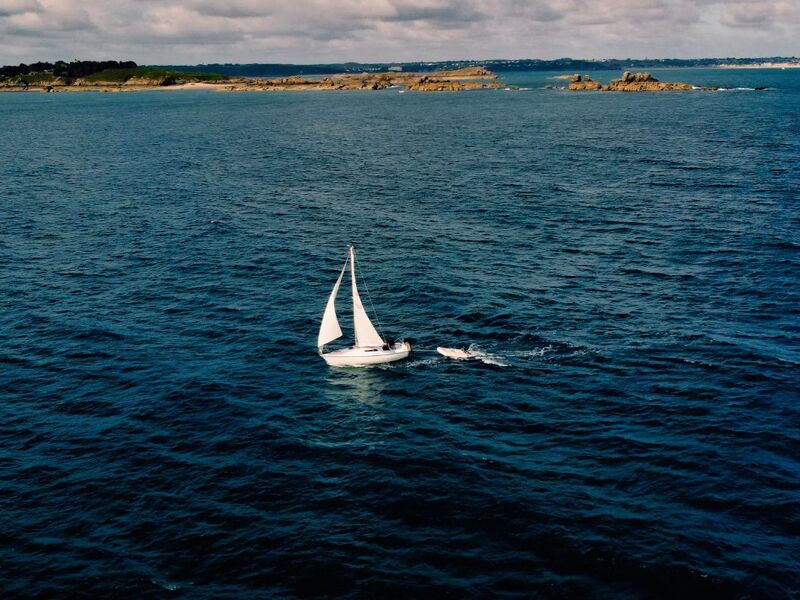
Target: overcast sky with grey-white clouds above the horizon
x=303, y=31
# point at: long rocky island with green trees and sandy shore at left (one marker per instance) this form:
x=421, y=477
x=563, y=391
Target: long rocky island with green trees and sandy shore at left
x=121, y=77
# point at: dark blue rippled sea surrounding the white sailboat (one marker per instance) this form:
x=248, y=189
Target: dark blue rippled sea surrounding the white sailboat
x=629, y=265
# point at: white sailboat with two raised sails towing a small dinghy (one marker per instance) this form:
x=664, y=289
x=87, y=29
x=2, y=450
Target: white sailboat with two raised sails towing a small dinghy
x=370, y=348
